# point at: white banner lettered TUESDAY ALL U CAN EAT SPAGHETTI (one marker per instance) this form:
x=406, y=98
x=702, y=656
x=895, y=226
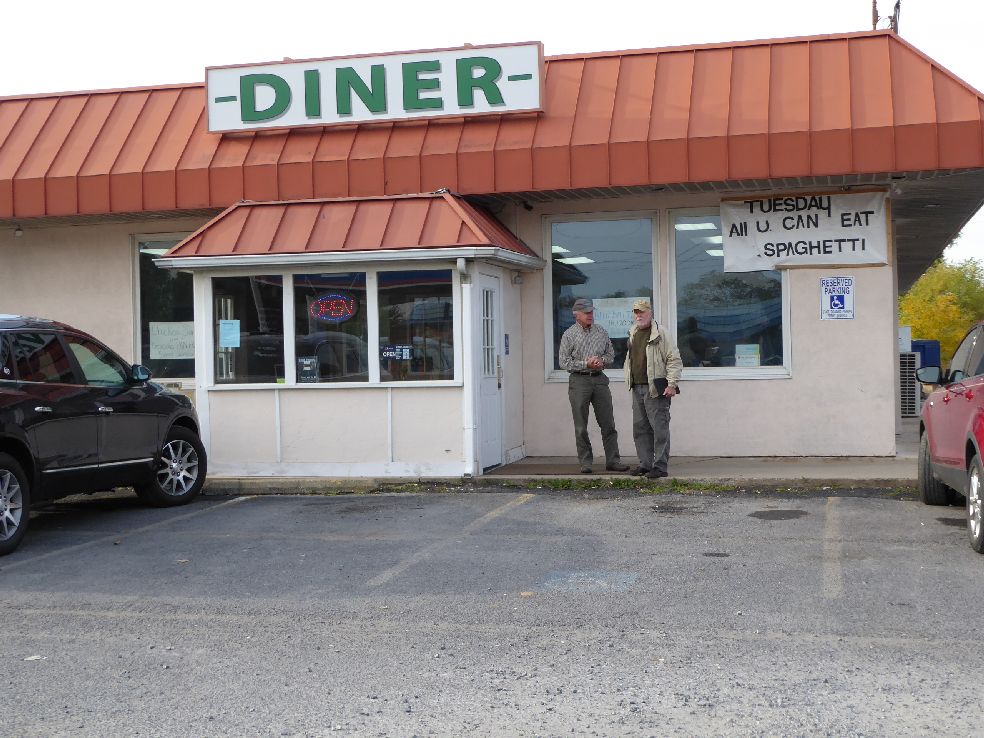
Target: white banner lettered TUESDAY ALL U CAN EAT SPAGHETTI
x=804, y=230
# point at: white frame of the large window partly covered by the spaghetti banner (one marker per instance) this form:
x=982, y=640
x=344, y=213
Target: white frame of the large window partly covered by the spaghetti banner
x=783, y=371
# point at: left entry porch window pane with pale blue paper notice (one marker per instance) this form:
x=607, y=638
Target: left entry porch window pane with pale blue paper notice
x=249, y=329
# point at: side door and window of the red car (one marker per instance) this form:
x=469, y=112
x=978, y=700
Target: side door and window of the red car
x=952, y=406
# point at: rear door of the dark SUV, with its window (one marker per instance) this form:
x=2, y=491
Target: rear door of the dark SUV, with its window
x=59, y=413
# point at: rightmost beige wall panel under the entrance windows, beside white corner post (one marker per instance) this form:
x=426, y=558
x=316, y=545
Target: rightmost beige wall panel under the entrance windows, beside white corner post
x=427, y=425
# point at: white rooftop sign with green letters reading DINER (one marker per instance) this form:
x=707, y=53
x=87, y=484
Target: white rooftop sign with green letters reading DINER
x=473, y=80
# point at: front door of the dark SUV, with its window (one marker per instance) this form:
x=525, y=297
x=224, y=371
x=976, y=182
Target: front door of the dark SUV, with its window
x=129, y=415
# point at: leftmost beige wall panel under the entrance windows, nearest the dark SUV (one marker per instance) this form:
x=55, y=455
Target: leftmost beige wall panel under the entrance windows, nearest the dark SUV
x=243, y=427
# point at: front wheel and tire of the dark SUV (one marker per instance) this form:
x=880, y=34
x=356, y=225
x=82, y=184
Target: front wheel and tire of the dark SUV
x=180, y=472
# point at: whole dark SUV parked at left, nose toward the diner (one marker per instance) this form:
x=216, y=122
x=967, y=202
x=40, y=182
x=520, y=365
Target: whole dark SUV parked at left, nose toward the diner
x=74, y=417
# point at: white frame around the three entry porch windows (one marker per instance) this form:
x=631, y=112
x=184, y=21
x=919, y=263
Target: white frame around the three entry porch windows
x=371, y=271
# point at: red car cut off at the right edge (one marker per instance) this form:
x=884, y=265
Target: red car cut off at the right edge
x=951, y=433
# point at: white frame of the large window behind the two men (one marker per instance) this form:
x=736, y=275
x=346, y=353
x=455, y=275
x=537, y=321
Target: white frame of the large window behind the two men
x=559, y=375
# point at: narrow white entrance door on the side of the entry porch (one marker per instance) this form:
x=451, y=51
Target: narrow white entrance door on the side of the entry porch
x=490, y=375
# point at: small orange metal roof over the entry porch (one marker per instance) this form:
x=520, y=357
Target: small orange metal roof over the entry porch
x=438, y=220
